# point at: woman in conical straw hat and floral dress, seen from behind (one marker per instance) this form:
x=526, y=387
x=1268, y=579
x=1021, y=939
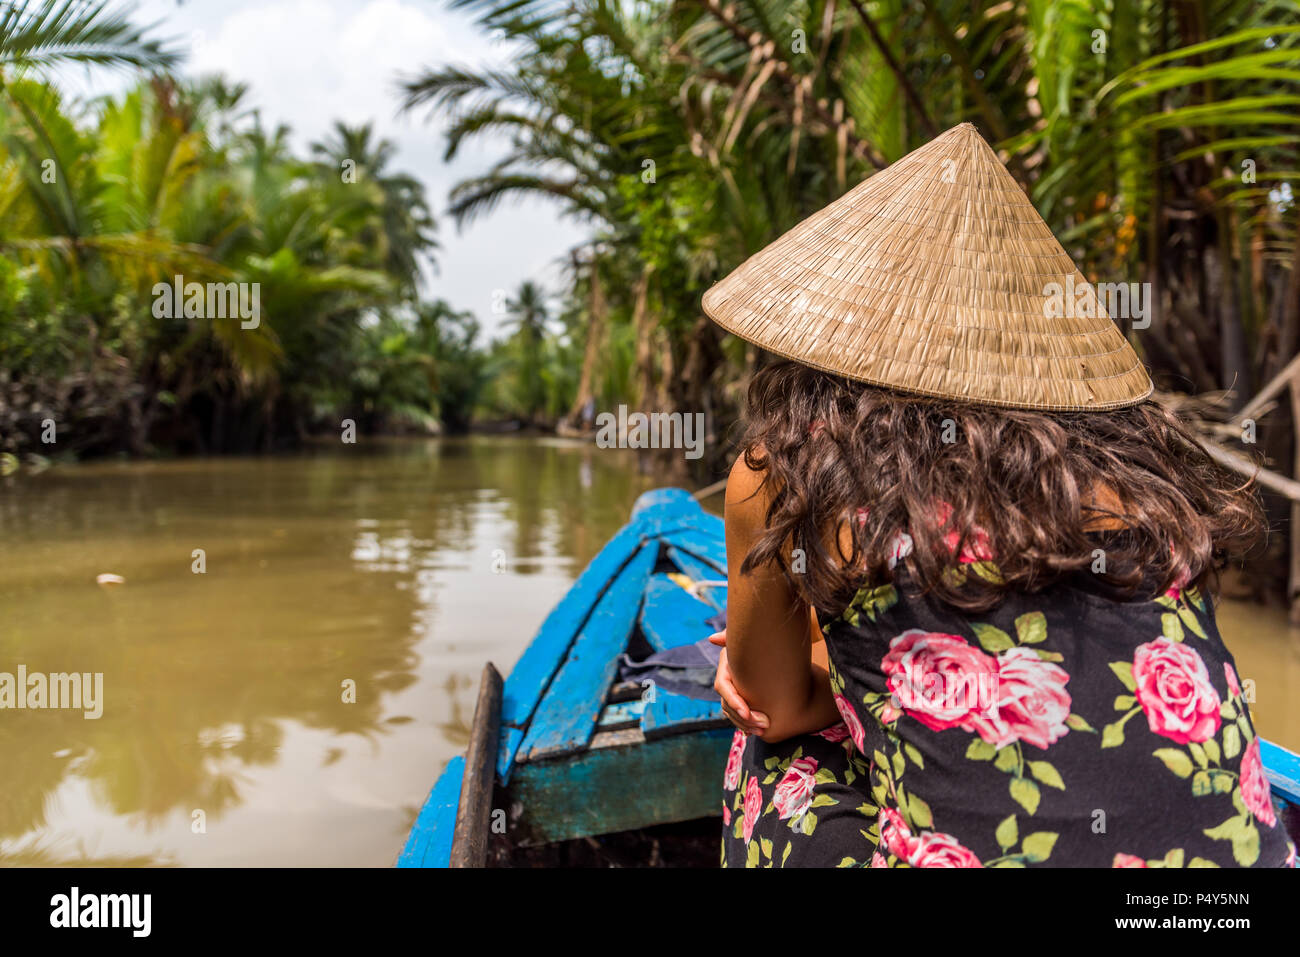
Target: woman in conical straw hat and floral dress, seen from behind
x=1004, y=544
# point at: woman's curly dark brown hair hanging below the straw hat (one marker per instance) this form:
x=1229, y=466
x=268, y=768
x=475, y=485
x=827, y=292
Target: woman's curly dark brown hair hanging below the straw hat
x=843, y=461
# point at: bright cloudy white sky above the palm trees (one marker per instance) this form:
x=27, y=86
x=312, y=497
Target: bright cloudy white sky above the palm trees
x=310, y=63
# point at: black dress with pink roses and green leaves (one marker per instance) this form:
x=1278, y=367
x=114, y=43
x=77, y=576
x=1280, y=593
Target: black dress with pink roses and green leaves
x=1061, y=729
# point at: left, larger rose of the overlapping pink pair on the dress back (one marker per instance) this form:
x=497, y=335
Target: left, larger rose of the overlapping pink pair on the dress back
x=934, y=678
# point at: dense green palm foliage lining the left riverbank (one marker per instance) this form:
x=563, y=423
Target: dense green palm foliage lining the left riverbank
x=103, y=207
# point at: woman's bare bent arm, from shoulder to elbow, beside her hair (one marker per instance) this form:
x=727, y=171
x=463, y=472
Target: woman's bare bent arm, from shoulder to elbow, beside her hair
x=770, y=646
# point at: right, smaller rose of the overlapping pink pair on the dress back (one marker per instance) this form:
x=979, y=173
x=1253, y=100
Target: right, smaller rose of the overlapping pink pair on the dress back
x=1032, y=700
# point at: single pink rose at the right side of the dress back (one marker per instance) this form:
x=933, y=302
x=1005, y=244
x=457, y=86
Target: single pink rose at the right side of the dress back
x=1175, y=691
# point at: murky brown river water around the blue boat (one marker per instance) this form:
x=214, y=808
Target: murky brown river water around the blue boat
x=228, y=733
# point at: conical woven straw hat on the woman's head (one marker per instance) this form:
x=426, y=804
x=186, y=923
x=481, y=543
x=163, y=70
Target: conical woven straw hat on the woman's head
x=934, y=278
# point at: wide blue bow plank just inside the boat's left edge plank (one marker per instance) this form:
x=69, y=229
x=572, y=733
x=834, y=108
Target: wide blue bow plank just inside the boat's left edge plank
x=567, y=714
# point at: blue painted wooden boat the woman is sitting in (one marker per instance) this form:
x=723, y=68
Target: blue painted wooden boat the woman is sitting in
x=564, y=752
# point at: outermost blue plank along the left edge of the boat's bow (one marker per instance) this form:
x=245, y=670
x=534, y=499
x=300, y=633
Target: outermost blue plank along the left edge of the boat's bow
x=545, y=655
